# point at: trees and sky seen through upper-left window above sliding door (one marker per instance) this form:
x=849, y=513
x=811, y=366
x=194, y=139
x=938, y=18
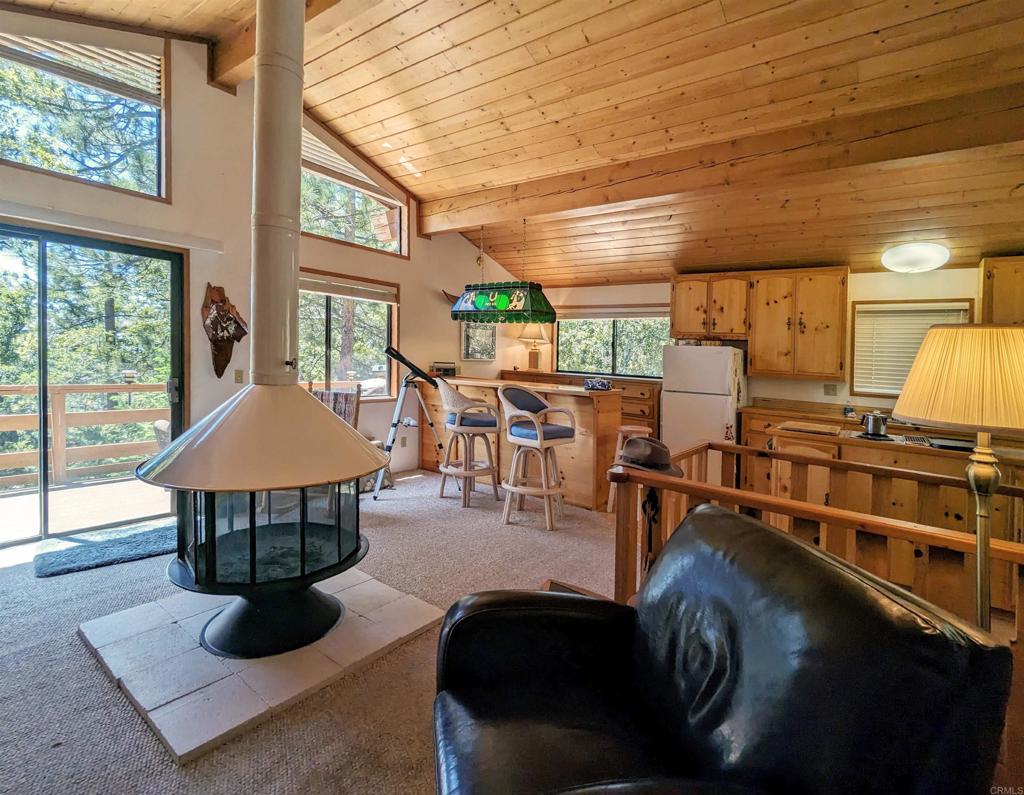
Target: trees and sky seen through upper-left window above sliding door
x=64, y=127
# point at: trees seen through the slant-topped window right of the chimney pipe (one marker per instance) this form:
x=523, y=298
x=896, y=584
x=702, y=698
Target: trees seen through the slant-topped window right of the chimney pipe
x=334, y=211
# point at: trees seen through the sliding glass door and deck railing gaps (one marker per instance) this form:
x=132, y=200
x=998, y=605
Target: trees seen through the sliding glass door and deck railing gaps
x=108, y=313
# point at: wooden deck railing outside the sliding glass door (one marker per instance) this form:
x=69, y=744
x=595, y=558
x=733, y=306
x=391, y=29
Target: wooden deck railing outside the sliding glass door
x=61, y=455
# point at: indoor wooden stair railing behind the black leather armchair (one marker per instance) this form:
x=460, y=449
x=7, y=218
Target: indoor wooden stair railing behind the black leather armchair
x=935, y=563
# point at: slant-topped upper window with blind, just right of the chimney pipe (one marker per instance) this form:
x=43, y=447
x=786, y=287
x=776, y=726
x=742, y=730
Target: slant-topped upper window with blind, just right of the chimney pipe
x=339, y=202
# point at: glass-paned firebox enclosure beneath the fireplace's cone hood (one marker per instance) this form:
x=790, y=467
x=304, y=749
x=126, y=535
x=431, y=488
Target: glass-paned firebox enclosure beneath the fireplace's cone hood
x=258, y=538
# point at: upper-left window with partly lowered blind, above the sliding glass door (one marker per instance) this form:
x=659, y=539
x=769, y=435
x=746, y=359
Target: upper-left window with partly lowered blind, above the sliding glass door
x=91, y=113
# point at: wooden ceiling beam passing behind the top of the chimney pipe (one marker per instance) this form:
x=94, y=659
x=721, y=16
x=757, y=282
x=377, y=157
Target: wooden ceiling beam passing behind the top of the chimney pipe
x=234, y=56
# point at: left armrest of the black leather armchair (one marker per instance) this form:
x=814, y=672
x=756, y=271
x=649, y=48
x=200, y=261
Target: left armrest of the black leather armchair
x=495, y=639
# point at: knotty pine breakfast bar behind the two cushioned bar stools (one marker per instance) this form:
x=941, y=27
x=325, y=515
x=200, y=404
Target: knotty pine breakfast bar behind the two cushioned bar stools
x=584, y=465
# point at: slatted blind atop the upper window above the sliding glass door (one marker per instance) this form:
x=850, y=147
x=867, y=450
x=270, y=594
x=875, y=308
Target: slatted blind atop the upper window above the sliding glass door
x=124, y=73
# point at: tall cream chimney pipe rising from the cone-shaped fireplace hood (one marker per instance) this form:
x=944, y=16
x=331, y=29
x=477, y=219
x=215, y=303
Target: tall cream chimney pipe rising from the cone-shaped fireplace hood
x=277, y=186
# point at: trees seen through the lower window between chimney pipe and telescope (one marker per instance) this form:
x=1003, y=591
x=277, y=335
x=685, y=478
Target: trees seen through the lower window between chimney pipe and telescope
x=360, y=332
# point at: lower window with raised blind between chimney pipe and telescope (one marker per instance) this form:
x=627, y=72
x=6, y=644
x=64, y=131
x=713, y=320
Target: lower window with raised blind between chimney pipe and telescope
x=344, y=333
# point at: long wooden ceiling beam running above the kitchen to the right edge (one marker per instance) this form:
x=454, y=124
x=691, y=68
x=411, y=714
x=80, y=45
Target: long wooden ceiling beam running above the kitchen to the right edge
x=987, y=118
